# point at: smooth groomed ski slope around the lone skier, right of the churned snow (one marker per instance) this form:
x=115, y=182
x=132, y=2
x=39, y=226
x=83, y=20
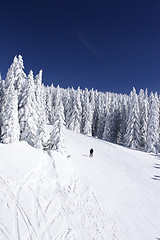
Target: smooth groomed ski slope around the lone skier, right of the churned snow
x=127, y=182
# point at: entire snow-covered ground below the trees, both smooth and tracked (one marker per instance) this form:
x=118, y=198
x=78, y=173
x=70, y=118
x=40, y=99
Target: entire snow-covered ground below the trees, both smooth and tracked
x=45, y=195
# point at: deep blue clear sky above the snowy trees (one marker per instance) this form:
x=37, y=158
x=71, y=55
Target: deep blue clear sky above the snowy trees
x=108, y=45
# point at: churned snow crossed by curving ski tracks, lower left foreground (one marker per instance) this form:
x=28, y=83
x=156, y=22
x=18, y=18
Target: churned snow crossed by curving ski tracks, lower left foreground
x=70, y=211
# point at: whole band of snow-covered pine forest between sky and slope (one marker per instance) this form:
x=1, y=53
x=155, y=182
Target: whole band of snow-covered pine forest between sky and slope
x=27, y=107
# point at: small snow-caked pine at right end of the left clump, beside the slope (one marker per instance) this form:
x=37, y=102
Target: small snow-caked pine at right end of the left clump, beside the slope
x=57, y=134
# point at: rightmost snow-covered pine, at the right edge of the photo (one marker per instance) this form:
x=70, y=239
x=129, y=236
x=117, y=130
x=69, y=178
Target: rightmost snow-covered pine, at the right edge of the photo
x=152, y=144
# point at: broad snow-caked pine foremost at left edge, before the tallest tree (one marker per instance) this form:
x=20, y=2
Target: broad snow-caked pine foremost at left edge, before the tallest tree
x=10, y=130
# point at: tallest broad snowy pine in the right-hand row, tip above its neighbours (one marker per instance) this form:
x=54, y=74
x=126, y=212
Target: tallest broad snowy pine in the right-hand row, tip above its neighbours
x=133, y=137
